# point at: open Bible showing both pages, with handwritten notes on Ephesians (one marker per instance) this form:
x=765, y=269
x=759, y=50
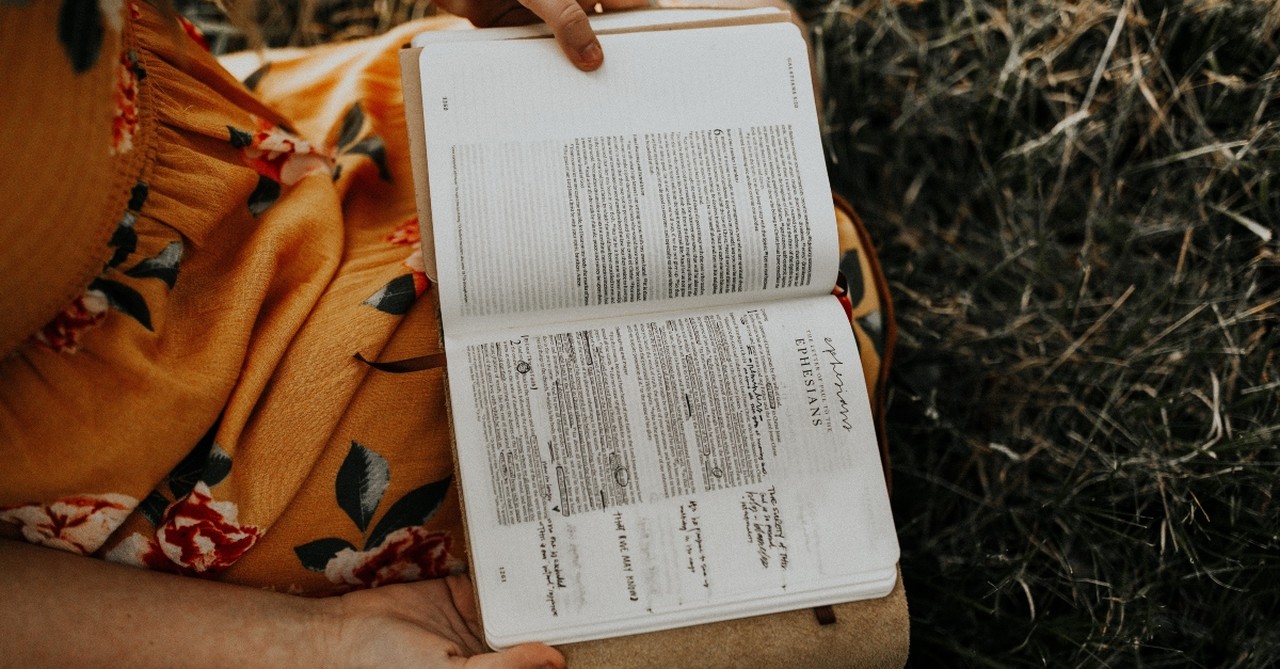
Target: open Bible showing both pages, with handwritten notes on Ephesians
x=659, y=407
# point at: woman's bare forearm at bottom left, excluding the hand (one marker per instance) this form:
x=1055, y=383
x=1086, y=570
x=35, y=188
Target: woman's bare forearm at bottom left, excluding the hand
x=65, y=611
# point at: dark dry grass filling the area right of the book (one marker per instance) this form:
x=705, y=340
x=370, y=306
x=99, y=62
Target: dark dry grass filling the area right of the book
x=1078, y=209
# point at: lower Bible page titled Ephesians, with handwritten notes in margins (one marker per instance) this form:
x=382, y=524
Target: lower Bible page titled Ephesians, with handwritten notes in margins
x=641, y=474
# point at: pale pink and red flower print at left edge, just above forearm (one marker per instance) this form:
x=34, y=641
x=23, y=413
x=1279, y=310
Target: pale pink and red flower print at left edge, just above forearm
x=79, y=524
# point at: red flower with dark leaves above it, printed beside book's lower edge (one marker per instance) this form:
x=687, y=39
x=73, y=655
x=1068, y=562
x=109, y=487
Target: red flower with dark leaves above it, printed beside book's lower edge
x=399, y=548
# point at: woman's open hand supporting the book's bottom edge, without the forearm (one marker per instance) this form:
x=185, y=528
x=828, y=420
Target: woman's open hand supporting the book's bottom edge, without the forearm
x=427, y=625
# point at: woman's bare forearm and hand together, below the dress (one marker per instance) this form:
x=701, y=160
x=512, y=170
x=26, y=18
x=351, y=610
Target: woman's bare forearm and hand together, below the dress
x=72, y=612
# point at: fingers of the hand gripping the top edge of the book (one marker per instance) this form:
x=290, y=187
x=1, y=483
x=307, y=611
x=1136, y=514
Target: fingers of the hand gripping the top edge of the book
x=566, y=19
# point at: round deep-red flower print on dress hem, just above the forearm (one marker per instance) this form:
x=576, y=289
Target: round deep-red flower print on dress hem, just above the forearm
x=204, y=535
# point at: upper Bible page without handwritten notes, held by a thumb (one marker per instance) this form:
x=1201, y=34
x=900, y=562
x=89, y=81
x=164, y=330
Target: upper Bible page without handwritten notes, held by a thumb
x=687, y=172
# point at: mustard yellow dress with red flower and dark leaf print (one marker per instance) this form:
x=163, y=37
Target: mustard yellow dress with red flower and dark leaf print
x=195, y=404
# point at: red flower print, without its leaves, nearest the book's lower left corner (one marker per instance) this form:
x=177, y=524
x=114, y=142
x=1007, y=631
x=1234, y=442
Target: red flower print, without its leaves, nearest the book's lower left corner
x=406, y=555
